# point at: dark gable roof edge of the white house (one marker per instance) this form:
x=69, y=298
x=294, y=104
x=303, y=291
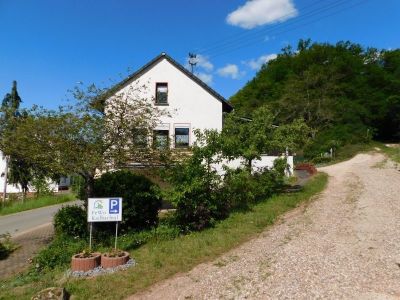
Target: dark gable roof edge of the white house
x=226, y=106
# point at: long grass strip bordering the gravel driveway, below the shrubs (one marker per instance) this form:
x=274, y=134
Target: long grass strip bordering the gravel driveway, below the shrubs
x=160, y=259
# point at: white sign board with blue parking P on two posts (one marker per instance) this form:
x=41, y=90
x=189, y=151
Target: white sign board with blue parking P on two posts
x=105, y=209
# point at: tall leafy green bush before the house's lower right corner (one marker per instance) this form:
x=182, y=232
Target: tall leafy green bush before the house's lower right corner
x=196, y=186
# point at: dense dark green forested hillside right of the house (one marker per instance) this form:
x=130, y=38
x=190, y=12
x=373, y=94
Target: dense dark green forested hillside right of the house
x=346, y=93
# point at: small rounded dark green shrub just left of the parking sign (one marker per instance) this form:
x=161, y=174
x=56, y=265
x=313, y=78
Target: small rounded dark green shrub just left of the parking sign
x=71, y=221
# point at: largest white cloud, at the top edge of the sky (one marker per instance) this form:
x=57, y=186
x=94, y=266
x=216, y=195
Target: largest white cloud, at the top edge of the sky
x=260, y=12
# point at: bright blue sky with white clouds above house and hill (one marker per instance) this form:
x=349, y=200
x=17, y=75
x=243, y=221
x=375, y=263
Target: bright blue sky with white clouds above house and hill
x=48, y=46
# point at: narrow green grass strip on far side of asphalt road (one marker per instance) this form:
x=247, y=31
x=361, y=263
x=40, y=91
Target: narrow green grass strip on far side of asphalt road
x=31, y=203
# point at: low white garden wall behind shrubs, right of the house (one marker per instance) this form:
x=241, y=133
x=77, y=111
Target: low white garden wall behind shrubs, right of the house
x=265, y=162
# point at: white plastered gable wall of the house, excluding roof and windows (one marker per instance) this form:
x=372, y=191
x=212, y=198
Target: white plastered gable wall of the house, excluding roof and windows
x=190, y=105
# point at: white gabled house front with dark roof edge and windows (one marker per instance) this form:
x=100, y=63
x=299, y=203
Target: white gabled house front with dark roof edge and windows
x=188, y=102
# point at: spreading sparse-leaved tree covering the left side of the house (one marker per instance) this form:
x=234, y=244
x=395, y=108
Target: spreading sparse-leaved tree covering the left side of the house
x=80, y=139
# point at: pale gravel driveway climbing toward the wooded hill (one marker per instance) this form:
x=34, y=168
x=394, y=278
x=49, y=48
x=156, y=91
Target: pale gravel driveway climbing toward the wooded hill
x=346, y=244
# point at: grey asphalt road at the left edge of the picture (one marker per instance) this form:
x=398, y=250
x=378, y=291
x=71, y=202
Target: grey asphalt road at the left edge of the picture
x=29, y=220
